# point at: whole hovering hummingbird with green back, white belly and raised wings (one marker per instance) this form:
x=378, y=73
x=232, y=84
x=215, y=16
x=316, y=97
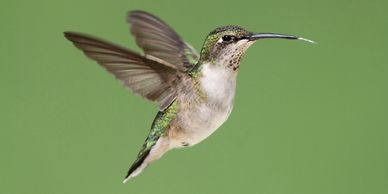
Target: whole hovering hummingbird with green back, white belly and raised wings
x=194, y=91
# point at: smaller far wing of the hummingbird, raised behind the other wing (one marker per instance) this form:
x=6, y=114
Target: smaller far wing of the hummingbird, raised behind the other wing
x=158, y=39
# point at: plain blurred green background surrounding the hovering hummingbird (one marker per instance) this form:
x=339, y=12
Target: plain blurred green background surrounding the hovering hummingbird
x=307, y=119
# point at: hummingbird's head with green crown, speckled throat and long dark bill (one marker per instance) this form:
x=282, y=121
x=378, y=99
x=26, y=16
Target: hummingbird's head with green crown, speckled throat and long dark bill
x=226, y=45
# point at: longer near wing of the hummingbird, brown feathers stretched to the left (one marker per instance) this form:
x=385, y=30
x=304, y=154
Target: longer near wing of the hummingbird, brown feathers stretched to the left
x=145, y=77
